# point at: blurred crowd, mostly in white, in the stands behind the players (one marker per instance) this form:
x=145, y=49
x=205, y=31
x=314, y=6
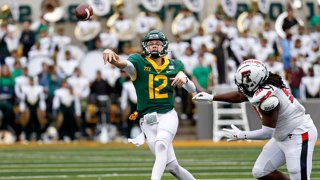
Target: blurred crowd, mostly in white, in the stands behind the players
x=49, y=85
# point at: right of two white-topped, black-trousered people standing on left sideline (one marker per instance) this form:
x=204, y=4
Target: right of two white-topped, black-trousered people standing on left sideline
x=67, y=110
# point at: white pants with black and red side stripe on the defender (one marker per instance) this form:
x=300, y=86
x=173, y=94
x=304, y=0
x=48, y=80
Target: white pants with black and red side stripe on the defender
x=296, y=151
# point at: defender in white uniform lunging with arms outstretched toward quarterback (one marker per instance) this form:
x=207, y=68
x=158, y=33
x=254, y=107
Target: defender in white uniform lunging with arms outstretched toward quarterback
x=291, y=131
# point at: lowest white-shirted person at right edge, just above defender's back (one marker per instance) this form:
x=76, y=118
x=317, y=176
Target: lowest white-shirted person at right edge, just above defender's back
x=310, y=86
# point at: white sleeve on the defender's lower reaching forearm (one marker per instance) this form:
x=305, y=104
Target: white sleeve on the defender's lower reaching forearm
x=260, y=134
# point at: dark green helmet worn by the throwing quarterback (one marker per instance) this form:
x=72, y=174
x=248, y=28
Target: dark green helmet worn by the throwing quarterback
x=155, y=35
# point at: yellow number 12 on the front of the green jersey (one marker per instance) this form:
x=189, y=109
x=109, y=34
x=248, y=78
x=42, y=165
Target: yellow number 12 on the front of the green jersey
x=154, y=92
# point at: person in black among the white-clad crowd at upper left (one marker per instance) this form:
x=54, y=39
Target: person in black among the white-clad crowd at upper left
x=27, y=38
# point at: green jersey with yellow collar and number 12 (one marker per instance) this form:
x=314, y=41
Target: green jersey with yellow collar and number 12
x=153, y=84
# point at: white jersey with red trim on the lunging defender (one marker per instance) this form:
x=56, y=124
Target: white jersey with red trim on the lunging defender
x=291, y=118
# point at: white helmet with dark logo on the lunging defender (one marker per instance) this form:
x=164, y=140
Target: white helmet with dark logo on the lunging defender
x=250, y=75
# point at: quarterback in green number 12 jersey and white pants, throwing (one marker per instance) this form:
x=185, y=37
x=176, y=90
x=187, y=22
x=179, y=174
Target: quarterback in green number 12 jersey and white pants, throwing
x=154, y=77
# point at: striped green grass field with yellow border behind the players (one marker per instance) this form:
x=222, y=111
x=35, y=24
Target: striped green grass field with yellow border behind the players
x=88, y=160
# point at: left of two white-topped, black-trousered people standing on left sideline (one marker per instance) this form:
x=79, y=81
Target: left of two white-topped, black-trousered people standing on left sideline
x=33, y=105
